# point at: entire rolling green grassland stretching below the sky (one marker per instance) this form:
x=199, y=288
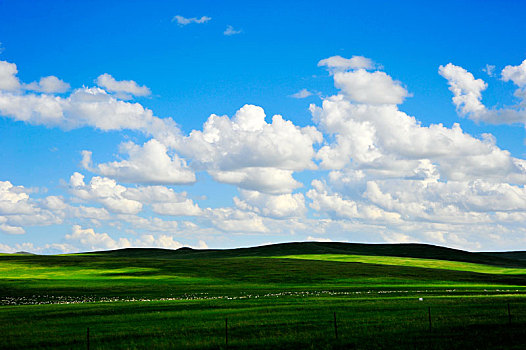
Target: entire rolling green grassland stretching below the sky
x=281, y=296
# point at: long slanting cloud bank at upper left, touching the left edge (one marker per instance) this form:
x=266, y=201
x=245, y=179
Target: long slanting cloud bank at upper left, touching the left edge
x=93, y=107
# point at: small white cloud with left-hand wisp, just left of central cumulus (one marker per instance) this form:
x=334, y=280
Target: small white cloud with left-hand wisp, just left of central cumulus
x=150, y=164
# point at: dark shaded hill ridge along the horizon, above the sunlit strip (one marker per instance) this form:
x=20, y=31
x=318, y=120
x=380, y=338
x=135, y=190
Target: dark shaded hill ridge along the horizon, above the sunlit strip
x=409, y=250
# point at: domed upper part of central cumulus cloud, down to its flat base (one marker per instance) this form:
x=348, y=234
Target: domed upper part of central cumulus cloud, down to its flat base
x=247, y=140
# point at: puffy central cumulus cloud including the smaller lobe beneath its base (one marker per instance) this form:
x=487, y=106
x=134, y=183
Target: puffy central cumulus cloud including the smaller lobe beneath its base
x=249, y=152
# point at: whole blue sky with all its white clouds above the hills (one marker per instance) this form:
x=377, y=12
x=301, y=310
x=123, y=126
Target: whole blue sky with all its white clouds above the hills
x=234, y=124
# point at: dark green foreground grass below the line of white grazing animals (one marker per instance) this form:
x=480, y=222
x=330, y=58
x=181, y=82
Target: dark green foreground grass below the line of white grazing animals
x=302, y=323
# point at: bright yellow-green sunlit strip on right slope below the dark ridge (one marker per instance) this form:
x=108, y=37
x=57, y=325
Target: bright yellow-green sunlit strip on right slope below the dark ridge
x=412, y=262
